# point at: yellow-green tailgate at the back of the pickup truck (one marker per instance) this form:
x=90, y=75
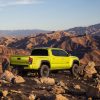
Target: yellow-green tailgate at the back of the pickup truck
x=19, y=60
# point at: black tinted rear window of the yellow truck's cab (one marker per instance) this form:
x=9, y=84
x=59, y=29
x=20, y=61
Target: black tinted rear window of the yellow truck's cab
x=39, y=52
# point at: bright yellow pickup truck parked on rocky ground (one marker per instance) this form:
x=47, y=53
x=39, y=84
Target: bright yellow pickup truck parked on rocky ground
x=45, y=60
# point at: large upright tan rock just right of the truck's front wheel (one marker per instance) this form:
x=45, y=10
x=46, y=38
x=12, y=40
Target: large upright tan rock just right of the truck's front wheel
x=90, y=70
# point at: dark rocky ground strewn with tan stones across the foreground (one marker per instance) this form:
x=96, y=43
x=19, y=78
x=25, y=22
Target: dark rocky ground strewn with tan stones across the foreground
x=60, y=86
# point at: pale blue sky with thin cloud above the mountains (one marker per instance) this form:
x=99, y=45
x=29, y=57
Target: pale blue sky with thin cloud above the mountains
x=48, y=14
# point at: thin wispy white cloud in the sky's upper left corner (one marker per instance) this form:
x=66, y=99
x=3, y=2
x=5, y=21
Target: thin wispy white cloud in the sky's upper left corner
x=6, y=3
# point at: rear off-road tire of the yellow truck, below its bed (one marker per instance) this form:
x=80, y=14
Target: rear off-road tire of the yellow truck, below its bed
x=44, y=71
